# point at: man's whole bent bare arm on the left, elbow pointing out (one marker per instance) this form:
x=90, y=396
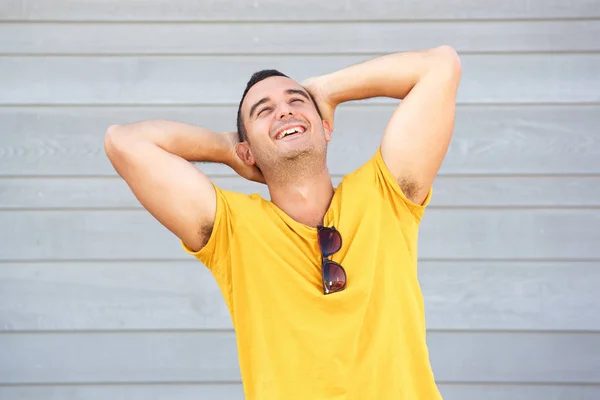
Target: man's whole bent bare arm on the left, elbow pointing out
x=154, y=157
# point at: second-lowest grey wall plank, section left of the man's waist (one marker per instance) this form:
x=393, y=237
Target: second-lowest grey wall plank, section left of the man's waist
x=118, y=357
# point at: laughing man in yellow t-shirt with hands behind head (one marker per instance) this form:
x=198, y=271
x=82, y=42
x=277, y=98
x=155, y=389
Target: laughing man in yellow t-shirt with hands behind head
x=321, y=282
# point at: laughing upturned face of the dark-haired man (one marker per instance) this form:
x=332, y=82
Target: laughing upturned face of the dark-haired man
x=282, y=124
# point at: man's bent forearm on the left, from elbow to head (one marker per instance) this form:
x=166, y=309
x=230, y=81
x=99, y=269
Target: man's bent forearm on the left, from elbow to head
x=186, y=141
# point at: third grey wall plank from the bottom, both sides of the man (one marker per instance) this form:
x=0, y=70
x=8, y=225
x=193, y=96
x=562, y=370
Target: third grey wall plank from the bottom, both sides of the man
x=98, y=296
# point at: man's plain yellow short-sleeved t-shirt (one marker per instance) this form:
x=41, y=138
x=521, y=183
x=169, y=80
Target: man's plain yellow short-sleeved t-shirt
x=366, y=342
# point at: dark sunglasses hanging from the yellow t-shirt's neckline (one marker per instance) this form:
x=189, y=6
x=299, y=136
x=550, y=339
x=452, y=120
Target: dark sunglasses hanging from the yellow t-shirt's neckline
x=334, y=276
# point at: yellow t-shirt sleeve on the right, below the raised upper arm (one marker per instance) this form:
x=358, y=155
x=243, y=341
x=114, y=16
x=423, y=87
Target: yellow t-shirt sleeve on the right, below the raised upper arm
x=388, y=186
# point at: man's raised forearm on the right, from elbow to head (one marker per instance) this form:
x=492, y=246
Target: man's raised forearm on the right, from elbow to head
x=392, y=75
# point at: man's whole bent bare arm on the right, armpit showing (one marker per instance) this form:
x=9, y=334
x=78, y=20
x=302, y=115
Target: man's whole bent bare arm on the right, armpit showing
x=417, y=136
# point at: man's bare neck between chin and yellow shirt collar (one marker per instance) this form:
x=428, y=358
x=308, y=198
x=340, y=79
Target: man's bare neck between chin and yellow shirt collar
x=303, y=195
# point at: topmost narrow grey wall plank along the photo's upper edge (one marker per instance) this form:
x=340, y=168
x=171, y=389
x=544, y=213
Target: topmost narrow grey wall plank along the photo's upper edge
x=336, y=10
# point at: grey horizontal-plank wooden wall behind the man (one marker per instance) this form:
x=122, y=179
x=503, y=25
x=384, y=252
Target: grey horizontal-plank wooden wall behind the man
x=98, y=301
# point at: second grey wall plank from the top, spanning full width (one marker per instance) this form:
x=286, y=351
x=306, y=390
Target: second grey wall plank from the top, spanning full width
x=285, y=38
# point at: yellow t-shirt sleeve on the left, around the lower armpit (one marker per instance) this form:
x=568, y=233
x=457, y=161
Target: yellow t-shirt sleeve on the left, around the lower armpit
x=216, y=250
